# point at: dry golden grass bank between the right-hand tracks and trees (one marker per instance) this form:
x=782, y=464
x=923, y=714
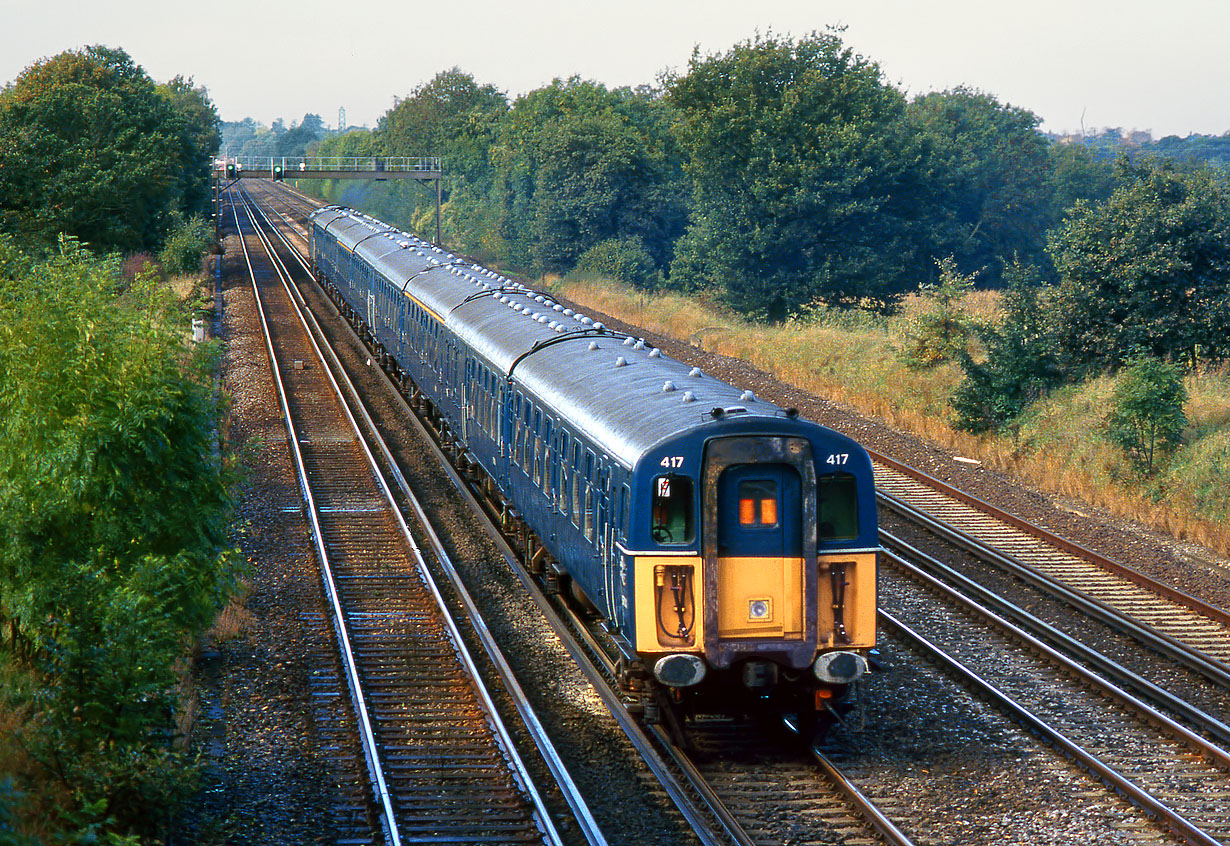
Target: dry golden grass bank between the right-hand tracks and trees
x=1057, y=448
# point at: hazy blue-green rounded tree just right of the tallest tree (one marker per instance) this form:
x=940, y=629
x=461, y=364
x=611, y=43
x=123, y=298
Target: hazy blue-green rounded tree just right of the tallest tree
x=987, y=172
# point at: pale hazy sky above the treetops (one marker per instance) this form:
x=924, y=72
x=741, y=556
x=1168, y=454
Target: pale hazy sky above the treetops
x=1135, y=65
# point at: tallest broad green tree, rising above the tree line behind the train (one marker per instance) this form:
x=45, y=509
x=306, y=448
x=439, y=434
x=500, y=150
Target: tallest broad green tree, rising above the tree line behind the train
x=806, y=183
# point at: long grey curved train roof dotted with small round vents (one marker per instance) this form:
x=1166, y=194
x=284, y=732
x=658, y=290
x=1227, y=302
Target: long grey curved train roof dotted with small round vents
x=622, y=393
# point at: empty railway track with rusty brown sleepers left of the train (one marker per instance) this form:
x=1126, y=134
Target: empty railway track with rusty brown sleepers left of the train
x=442, y=767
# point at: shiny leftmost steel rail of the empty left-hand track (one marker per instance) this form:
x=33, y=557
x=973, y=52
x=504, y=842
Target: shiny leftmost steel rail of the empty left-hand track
x=367, y=735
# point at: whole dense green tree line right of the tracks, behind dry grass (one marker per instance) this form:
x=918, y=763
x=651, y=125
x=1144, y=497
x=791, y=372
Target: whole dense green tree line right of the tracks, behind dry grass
x=788, y=174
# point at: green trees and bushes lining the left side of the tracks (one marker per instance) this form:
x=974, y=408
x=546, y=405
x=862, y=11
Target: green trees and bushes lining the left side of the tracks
x=115, y=486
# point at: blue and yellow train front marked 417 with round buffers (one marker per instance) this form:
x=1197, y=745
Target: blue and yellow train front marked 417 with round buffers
x=772, y=586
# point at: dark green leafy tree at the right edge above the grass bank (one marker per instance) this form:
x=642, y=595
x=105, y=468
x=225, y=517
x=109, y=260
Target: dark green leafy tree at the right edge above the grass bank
x=1148, y=270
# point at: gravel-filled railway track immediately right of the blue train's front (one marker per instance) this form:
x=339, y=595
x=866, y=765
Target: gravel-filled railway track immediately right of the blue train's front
x=1173, y=774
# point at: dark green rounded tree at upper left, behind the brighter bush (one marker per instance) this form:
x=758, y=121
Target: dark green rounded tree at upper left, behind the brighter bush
x=89, y=148
